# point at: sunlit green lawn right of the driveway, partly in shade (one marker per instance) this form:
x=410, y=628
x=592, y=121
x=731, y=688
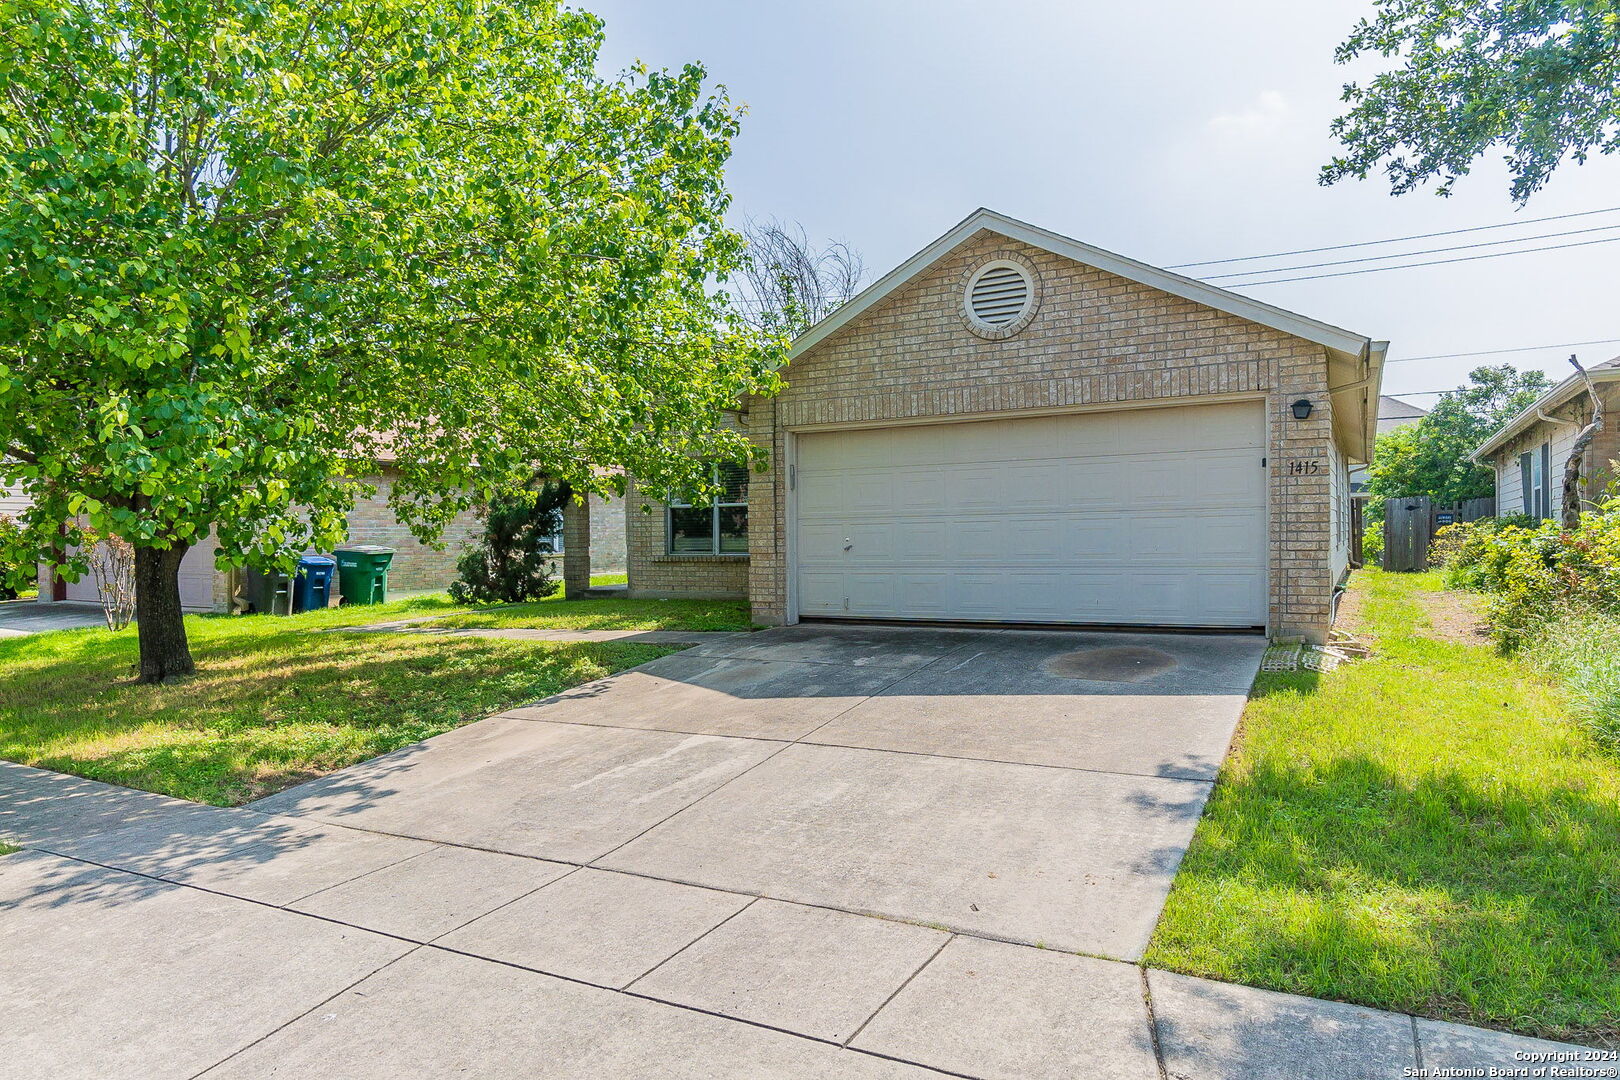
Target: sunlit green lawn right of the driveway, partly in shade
x=1423, y=831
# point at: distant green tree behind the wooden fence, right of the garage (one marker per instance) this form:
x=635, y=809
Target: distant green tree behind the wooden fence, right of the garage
x=1431, y=457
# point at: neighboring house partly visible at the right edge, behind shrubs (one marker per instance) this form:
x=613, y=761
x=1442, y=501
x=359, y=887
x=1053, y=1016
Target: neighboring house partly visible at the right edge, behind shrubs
x=1530, y=453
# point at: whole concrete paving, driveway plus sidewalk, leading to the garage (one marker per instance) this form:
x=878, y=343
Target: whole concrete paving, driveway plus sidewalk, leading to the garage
x=809, y=853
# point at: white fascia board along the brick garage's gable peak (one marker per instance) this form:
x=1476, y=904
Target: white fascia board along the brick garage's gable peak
x=1332, y=338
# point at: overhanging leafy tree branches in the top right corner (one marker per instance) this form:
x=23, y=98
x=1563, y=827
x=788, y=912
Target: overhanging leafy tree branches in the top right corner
x=1538, y=79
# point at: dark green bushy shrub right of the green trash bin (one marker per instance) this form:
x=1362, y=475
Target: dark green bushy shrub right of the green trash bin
x=514, y=559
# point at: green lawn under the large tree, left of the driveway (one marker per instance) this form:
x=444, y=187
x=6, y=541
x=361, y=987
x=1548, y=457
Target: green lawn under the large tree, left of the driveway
x=273, y=704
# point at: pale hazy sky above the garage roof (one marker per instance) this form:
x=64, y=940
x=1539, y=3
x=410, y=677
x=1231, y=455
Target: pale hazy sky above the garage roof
x=1169, y=134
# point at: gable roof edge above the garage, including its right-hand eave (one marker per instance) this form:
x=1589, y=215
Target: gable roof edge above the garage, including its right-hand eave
x=1360, y=360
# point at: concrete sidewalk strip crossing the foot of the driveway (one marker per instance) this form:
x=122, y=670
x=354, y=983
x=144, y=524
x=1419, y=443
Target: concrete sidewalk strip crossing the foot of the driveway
x=231, y=943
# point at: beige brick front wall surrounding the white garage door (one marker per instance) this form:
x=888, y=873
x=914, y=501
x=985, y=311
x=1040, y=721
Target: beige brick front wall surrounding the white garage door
x=1098, y=339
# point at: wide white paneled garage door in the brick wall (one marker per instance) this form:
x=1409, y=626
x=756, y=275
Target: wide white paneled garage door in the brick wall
x=1153, y=517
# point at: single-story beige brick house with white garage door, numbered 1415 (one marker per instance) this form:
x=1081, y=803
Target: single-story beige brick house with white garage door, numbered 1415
x=1020, y=428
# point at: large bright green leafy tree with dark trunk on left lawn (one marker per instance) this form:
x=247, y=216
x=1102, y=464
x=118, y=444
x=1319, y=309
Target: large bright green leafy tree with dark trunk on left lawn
x=250, y=247
